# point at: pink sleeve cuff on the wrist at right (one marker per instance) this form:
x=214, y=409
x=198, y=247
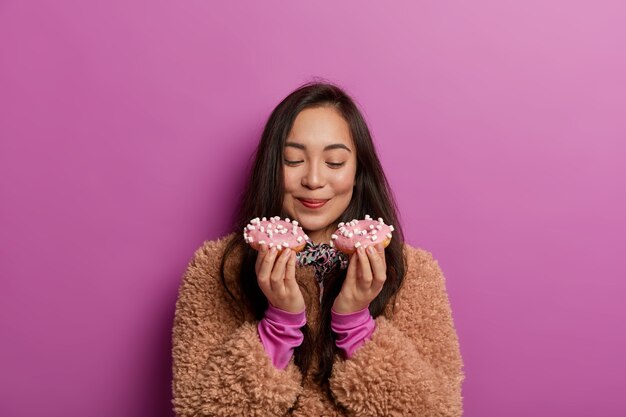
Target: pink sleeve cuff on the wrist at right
x=352, y=330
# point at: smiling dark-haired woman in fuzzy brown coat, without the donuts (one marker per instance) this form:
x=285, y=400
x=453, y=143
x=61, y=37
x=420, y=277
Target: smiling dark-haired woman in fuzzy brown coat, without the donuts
x=257, y=333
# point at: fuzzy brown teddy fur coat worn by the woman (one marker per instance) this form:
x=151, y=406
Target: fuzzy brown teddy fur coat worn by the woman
x=411, y=366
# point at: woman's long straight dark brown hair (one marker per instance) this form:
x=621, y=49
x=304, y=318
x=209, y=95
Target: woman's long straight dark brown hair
x=264, y=194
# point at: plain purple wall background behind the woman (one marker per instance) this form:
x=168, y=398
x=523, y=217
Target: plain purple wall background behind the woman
x=125, y=128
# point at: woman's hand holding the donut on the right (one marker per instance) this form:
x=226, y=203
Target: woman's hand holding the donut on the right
x=366, y=275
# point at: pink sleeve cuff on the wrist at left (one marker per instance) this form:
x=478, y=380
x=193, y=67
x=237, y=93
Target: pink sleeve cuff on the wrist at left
x=280, y=334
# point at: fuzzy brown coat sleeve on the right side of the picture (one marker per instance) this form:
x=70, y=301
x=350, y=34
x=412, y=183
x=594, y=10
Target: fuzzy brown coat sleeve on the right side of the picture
x=412, y=365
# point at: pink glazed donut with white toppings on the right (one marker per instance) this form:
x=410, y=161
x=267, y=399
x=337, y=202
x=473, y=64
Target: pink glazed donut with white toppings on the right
x=361, y=233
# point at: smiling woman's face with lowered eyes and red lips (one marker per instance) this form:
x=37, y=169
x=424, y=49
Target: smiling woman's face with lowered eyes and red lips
x=319, y=165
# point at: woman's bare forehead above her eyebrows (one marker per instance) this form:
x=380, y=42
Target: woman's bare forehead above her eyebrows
x=319, y=127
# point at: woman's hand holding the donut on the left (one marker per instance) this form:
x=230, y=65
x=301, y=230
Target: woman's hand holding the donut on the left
x=277, y=279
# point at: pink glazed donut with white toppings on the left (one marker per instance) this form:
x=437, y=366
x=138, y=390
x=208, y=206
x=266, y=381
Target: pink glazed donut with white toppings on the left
x=275, y=233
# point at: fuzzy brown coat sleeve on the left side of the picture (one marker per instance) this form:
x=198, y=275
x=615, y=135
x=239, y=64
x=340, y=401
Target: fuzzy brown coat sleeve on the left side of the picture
x=211, y=348
